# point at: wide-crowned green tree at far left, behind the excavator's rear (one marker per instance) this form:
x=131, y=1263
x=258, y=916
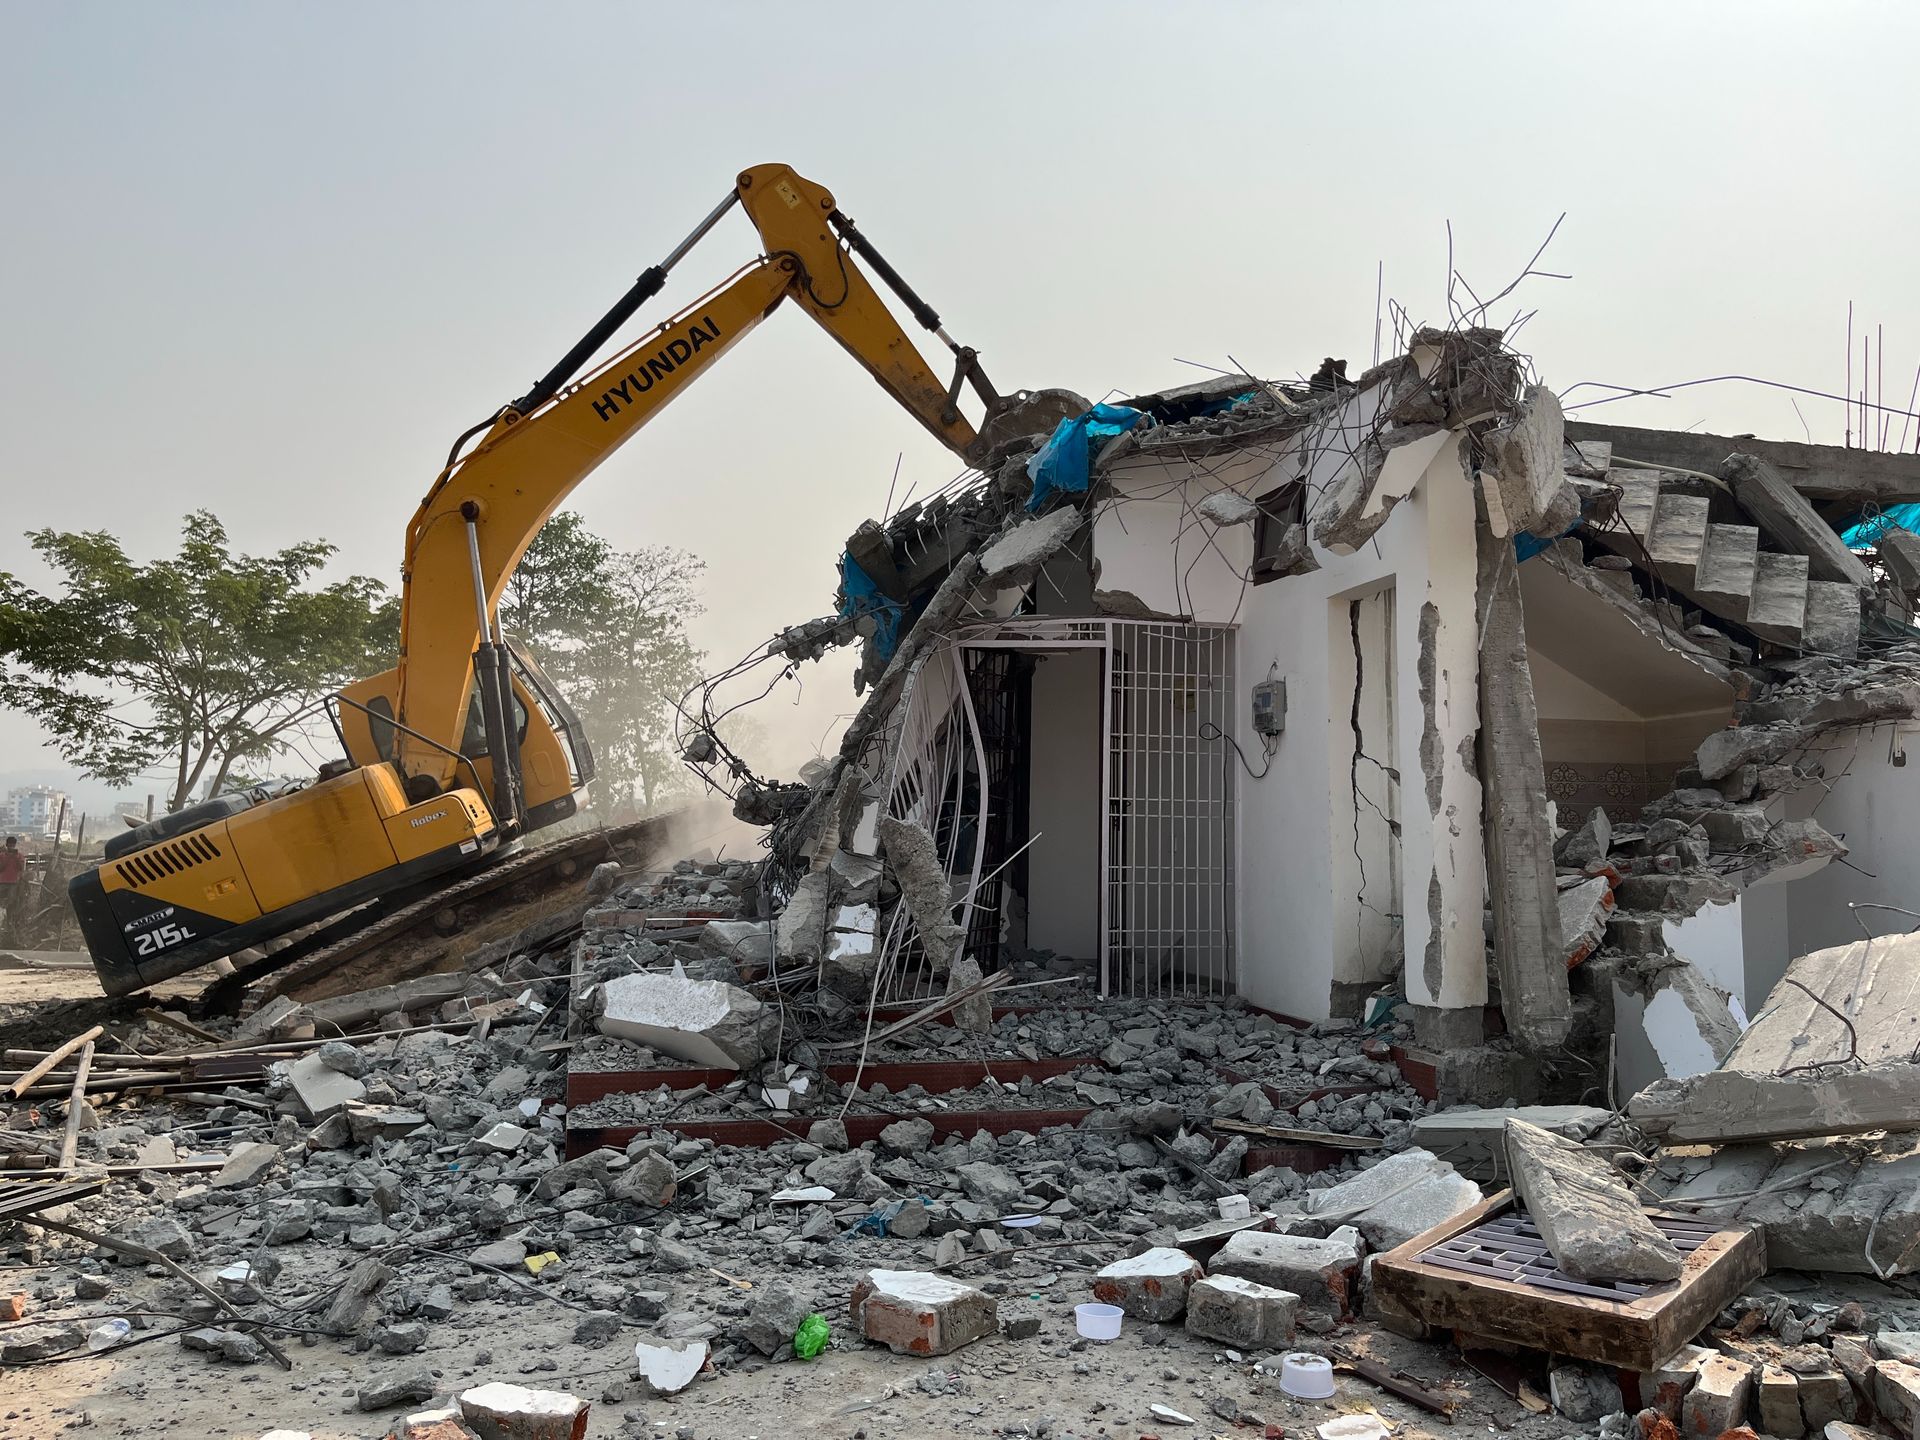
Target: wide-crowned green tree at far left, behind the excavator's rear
x=199, y=663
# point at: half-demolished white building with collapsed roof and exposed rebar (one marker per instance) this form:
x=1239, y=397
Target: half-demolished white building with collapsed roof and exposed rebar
x=1397, y=692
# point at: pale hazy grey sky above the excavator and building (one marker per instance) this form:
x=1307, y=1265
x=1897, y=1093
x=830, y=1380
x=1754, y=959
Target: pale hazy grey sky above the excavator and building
x=270, y=260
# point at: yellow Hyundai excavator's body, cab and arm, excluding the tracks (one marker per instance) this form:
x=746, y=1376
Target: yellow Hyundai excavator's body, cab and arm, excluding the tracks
x=466, y=748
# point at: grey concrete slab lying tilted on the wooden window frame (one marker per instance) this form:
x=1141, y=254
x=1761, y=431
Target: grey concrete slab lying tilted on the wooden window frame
x=1585, y=1212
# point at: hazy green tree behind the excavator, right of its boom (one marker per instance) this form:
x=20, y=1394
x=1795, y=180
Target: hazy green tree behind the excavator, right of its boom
x=612, y=629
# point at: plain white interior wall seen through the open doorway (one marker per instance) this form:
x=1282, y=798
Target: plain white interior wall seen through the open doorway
x=1065, y=805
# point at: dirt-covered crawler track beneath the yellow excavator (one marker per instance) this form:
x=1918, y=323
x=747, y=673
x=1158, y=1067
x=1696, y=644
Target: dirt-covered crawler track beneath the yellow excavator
x=435, y=932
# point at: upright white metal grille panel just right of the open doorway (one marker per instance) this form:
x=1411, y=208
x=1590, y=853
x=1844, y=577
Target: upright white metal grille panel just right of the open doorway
x=1166, y=924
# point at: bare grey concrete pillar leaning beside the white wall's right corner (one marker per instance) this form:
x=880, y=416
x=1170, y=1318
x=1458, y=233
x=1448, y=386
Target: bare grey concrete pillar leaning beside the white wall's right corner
x=1520, y=844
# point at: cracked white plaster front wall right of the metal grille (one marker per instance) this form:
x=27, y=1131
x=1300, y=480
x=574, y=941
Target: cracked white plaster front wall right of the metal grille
x=1151, y=544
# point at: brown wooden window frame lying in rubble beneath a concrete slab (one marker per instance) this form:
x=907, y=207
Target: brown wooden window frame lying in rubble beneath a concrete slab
x=1633, y=1335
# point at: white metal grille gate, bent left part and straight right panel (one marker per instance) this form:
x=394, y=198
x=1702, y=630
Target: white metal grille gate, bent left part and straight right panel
x=1166, y=794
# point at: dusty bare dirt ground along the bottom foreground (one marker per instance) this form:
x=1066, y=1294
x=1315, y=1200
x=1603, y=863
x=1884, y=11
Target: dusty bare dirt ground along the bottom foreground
x=1049, y=1385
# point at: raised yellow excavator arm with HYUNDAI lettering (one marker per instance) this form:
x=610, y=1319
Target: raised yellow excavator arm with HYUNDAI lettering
x=489, y=504
